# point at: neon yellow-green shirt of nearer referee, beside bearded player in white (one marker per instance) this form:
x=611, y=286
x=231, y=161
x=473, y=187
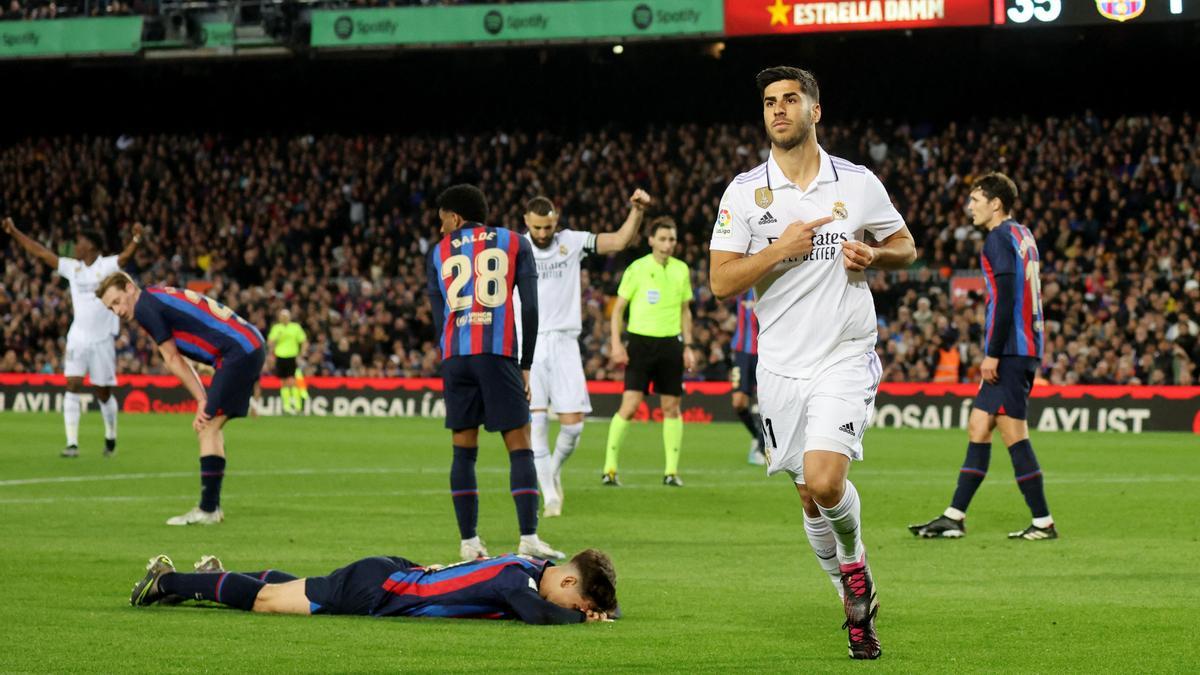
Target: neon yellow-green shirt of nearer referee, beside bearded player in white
x=656, y=295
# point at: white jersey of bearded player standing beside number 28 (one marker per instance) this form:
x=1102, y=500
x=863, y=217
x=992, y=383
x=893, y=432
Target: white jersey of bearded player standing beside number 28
x=559, y=280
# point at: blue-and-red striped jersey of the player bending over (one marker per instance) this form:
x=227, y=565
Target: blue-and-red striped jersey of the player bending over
x=202, y=328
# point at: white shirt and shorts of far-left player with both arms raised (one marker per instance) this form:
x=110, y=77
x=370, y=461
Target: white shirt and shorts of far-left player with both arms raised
x=91, y=349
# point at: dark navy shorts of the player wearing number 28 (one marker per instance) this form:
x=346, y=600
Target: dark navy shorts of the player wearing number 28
x=485, y=390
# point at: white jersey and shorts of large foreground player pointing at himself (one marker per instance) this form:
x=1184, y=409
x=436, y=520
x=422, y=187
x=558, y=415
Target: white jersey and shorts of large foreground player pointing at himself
x=818, y=369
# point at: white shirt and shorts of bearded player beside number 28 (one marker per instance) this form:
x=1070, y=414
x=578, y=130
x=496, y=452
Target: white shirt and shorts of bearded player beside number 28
x=557, y=375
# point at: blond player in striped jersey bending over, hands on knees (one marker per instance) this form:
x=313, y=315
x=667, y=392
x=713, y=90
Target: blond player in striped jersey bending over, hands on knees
x=184, y=322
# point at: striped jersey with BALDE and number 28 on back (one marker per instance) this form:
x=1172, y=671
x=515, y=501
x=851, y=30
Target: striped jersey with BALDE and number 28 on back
x=473, y=273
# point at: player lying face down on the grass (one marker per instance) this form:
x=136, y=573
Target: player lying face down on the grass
x=508, y=587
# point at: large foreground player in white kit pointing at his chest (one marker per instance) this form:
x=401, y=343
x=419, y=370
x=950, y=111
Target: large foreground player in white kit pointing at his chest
x=794, y=229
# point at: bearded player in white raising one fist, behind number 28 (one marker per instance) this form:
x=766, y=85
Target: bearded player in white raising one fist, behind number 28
x=557, y=375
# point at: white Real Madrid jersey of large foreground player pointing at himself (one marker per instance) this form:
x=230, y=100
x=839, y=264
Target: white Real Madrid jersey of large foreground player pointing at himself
x=813, y=313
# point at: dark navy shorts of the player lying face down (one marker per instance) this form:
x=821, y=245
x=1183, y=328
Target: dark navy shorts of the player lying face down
x=356, y=589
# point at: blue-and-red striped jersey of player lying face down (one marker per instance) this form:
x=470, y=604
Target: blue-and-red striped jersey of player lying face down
x=497, y=588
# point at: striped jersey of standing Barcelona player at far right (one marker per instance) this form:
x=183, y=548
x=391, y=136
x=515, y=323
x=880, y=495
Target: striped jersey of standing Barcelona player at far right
x=1012, y=270
